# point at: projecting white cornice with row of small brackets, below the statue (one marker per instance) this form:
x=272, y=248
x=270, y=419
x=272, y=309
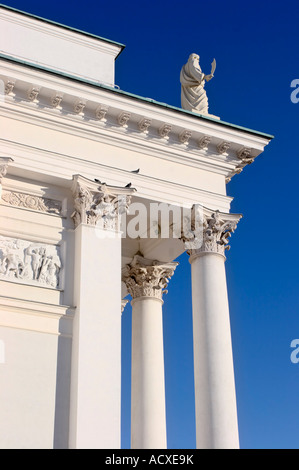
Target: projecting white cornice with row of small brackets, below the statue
x=84, y=110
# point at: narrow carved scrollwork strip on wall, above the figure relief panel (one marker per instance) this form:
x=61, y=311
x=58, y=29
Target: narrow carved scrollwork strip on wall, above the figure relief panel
x=32, y=202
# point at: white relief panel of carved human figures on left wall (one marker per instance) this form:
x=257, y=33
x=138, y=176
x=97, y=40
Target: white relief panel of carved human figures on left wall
x=32, y=263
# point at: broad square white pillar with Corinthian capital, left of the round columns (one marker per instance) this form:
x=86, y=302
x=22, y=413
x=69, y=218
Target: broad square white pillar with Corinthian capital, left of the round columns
x=95, y=395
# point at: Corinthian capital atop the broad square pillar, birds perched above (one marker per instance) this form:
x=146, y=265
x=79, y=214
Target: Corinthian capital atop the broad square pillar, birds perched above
x=98, y=203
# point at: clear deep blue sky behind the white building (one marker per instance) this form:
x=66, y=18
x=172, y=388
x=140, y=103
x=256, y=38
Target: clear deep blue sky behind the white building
x=256, y=48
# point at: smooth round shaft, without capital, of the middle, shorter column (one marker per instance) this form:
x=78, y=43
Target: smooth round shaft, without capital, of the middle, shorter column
x=148, y=422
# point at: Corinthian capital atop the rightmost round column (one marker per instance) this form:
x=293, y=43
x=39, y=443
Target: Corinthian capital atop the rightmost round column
x=212, y=232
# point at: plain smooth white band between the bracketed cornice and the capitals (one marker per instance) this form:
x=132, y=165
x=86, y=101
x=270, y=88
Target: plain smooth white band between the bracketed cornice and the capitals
x=41, y=161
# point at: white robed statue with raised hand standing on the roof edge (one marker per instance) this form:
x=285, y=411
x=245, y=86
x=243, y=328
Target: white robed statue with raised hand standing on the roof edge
x=193, y=94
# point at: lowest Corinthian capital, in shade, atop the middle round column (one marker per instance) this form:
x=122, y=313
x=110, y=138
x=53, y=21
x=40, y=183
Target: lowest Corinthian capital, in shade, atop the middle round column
x=147, y=278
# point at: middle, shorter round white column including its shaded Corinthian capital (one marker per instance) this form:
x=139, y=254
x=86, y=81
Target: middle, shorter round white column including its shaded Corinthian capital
x=146, y=281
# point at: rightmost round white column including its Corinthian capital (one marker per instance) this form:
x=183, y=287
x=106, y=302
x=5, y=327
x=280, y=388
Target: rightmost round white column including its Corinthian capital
x=215, y=400
